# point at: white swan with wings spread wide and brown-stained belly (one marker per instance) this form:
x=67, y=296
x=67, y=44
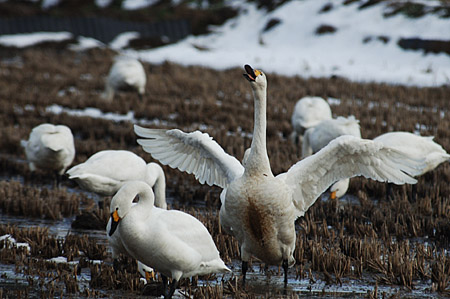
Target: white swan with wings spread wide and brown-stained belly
x=258, y=208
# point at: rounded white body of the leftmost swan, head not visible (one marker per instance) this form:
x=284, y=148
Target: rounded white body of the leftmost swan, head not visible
x=50, y=147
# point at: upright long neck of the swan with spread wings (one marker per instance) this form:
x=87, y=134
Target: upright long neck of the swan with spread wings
x=258, y=160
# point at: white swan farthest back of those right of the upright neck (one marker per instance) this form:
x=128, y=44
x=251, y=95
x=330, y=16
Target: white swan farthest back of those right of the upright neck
x=308, y=112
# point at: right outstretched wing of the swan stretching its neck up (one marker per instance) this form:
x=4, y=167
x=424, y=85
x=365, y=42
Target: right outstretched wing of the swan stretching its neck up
x=346, y=157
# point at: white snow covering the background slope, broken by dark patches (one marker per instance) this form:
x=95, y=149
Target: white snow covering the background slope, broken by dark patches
x=363, y=47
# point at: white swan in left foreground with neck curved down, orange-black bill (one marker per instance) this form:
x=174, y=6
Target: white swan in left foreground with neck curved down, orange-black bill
x=174, y=243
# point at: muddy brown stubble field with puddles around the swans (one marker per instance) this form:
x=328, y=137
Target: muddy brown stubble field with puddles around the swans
x=362, y=246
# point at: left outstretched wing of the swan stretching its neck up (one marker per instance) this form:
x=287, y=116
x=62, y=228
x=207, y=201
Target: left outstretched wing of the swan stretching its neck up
x=195, y=153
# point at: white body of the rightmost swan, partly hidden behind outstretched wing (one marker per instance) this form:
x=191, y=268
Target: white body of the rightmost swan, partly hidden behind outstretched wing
x=420, y=147
